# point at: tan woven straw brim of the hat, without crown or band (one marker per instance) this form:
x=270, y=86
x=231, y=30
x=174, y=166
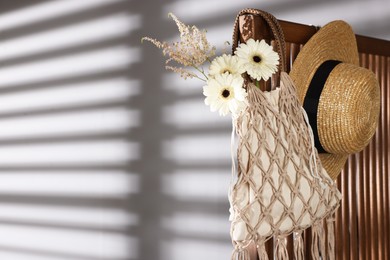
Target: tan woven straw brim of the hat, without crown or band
x=334, y=41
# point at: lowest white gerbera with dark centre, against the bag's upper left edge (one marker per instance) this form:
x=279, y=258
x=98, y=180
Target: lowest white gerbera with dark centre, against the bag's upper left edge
x=225, y=94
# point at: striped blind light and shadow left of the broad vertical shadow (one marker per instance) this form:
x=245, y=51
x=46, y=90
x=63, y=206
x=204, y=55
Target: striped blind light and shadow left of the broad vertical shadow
x=66, y=122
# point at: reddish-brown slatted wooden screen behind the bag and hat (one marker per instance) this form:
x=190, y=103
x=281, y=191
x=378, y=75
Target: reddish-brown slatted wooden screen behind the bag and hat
x=363, y=220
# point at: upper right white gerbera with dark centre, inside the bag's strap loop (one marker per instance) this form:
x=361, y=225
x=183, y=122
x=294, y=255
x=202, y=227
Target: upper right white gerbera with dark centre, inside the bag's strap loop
x=260, y=60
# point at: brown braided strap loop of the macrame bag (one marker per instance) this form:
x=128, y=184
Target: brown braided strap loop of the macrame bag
x=276, y=29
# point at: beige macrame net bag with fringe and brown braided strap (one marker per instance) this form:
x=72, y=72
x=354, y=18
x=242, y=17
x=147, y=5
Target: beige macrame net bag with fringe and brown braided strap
x=279, y=185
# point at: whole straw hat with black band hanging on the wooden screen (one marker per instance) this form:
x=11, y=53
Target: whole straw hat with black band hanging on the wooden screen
x=342, y=100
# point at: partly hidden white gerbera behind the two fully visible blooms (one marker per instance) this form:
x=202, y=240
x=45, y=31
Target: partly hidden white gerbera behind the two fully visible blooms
x=226, y=64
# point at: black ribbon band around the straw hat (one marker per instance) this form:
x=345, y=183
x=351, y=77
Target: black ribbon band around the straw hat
x=312, y=98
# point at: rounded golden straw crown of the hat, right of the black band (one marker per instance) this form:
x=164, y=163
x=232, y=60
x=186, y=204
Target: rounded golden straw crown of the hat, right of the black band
x=348, y=109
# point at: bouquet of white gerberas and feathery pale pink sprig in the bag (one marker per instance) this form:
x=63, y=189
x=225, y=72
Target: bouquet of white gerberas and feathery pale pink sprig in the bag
x=224, y=89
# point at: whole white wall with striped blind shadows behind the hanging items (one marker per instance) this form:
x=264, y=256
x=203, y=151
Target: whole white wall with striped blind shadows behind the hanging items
x=104, y=154
